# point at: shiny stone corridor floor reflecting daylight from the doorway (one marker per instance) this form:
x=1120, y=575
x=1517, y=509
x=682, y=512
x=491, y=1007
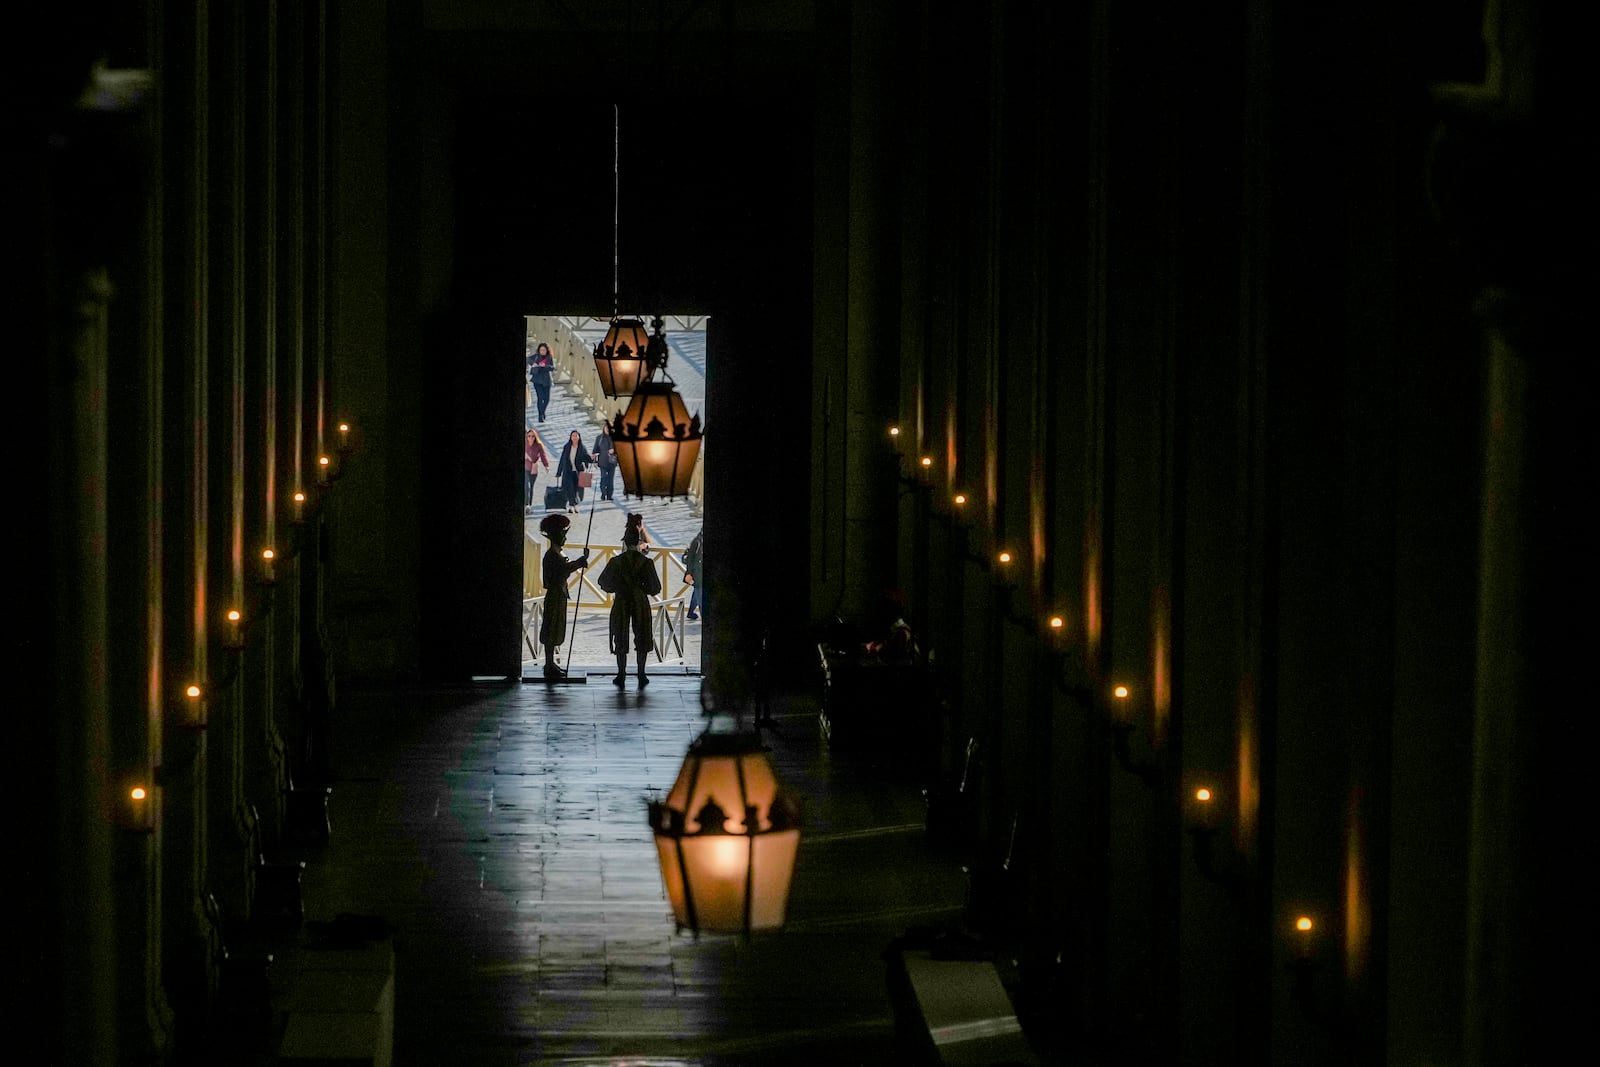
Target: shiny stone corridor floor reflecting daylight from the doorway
x=503, y=834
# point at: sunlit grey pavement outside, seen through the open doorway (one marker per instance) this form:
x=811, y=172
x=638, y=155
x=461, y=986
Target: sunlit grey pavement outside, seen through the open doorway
x=670, y=524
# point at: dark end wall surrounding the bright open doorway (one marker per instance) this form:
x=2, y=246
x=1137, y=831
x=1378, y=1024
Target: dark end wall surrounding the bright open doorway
x=714, y=218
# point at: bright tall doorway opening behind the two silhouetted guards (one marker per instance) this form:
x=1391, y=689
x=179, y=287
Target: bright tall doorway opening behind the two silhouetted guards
x=564, y=398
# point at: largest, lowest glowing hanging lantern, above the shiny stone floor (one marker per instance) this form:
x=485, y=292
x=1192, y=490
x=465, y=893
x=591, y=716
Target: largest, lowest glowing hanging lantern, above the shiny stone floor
x=726, y=837
